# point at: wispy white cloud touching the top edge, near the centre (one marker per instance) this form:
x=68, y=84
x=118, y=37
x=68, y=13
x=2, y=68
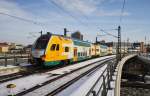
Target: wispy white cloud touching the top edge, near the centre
x=79, y=6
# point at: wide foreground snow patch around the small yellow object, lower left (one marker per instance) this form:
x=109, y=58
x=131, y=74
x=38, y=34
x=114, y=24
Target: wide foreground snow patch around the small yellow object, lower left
x=24, y=83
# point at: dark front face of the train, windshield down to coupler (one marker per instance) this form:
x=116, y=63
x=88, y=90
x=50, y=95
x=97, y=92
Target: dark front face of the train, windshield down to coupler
x=39, y=48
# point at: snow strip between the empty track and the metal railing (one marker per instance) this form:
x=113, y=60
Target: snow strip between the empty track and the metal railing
x=81, y=87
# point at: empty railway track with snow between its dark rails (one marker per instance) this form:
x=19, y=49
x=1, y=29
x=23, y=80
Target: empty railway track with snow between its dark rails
x=55, y=85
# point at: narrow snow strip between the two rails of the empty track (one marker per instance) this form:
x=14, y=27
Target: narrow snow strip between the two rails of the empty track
x=44, y=90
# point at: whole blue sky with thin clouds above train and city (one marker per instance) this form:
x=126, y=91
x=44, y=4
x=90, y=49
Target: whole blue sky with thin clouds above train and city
x=87, y=16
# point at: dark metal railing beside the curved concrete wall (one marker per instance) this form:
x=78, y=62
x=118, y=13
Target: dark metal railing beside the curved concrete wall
x=105, y=78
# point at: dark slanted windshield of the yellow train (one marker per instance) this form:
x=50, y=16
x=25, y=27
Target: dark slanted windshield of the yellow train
x=42, y=42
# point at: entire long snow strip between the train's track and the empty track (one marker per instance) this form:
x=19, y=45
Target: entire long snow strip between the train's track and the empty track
x=33, y=80
